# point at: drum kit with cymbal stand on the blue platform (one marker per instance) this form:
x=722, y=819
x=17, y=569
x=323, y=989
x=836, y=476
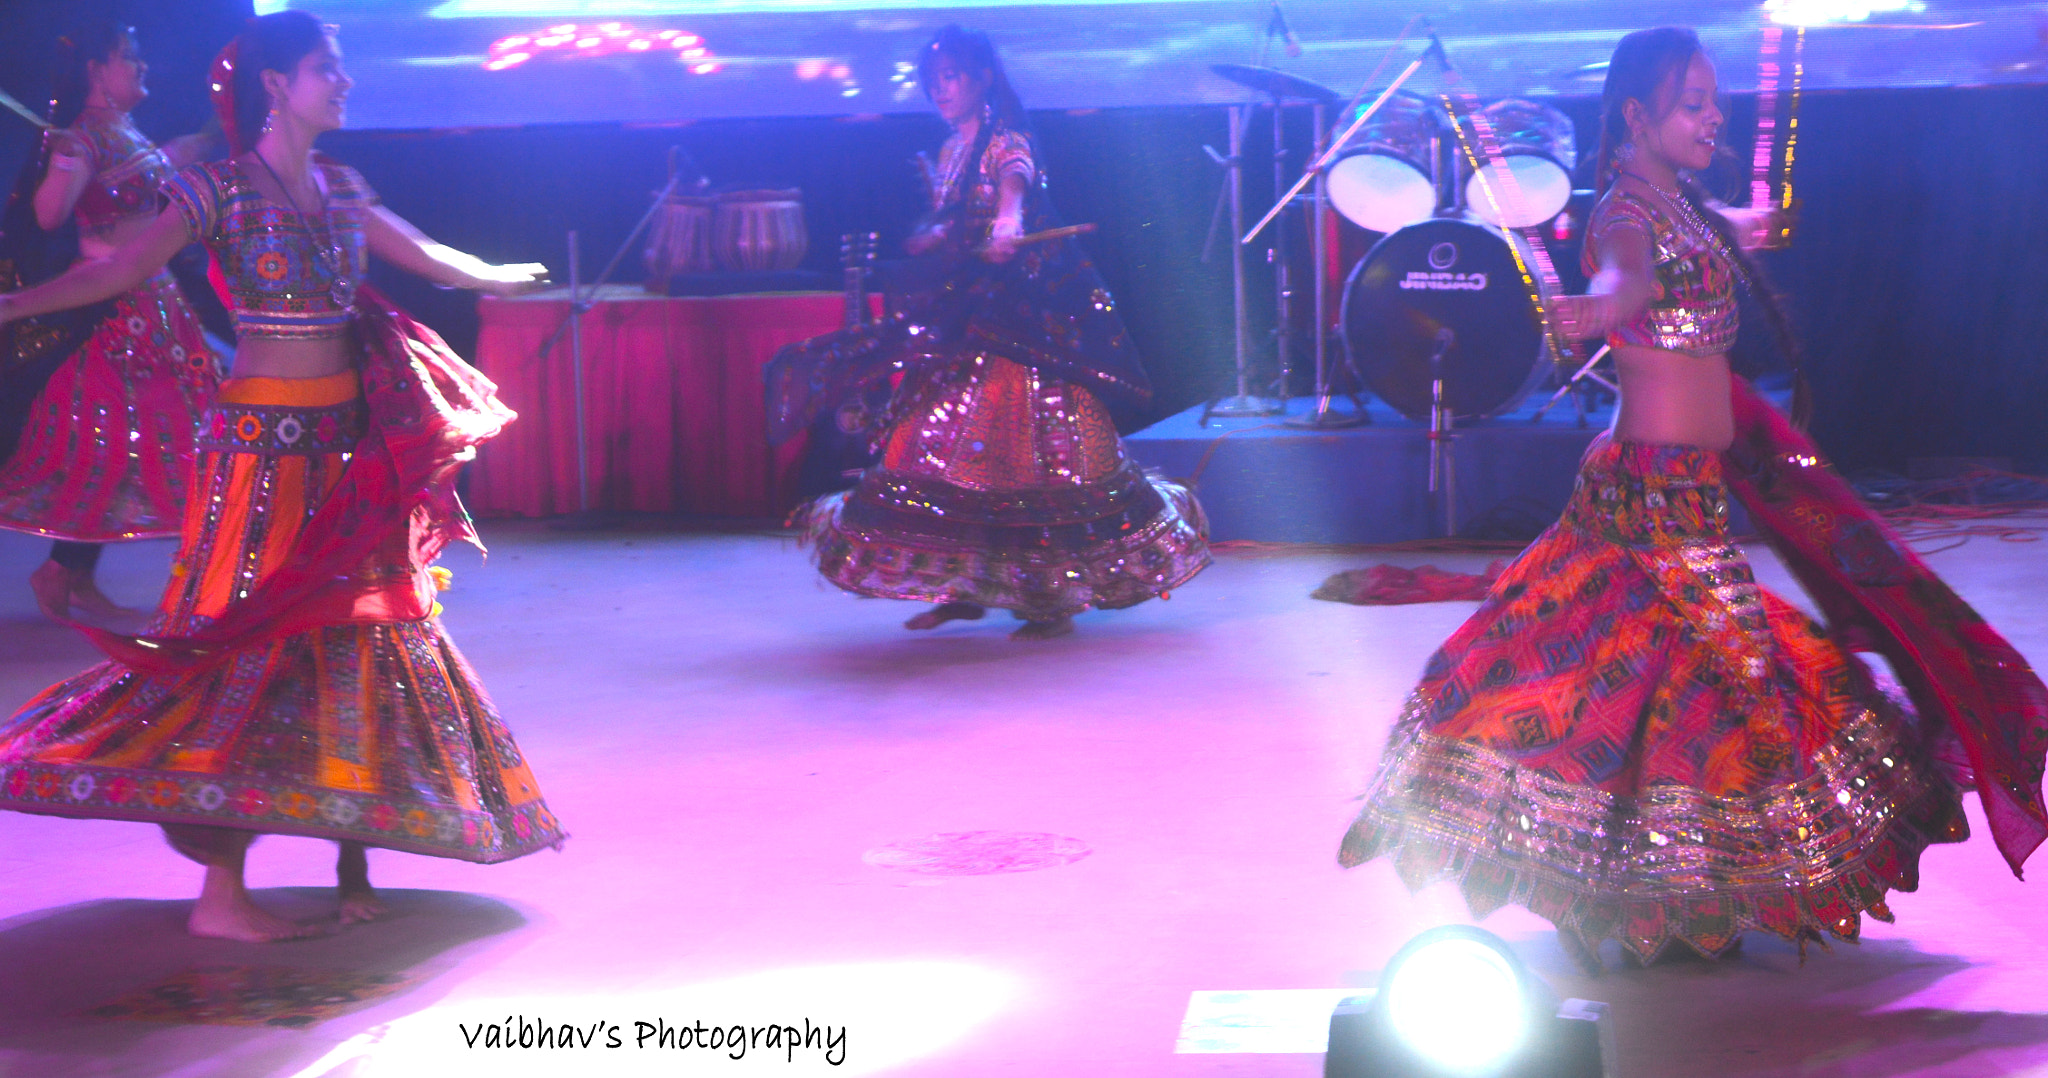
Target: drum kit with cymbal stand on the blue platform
x=1451, y=253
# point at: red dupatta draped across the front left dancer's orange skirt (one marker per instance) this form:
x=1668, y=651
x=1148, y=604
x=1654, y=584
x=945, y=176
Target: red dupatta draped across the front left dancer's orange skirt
x=427, y=415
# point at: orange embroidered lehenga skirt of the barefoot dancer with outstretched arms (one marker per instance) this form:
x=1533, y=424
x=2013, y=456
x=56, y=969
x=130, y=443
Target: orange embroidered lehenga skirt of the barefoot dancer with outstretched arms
x=370, y=731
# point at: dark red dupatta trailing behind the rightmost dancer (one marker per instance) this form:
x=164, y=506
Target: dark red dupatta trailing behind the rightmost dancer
x=1881, y=597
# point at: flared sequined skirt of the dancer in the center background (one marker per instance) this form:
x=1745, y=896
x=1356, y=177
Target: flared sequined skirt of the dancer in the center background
x=1009, y=489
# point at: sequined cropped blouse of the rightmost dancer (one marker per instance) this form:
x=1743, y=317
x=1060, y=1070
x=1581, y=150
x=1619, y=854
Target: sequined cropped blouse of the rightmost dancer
x=1695, y=308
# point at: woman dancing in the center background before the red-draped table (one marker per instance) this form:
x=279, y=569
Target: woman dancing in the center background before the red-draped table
x=1002, y=481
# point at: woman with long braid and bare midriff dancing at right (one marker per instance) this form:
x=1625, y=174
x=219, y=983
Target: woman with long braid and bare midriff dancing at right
x=1631, y=737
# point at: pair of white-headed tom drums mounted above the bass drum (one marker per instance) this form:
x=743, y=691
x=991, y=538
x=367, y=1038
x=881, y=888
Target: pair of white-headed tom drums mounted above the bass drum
x=1392, y=173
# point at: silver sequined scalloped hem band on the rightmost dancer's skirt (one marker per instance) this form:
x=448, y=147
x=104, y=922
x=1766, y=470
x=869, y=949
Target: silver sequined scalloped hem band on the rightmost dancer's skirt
x=1676, y=866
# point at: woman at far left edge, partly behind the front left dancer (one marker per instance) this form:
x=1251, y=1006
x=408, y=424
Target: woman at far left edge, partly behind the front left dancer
x=97, y=405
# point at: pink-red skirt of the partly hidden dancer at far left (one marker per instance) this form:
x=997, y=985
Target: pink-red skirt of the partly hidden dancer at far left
x=108, y=450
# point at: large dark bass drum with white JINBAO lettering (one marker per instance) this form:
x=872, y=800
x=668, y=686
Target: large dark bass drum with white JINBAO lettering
x=1443, y=276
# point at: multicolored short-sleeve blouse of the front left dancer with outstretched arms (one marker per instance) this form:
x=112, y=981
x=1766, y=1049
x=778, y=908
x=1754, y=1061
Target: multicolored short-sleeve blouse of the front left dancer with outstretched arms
x=267, y=255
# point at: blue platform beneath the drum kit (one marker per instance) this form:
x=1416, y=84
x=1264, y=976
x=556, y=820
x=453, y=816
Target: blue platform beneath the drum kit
x=1265, y=481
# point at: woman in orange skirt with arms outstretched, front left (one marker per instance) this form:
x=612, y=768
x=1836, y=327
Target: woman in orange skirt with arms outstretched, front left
x=296, y=677
